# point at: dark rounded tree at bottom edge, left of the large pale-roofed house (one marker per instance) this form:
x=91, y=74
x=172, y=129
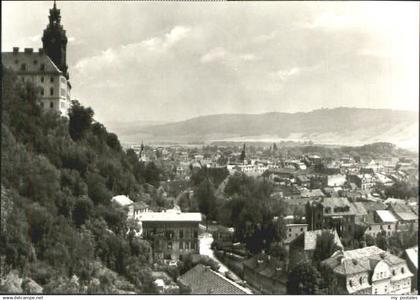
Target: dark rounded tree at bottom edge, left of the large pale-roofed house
x=304, y=279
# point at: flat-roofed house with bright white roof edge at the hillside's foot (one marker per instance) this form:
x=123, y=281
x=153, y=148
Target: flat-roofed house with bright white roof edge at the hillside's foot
x=172, y=234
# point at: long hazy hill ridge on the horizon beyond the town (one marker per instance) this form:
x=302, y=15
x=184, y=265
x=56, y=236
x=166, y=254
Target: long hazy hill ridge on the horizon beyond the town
x=342, y=126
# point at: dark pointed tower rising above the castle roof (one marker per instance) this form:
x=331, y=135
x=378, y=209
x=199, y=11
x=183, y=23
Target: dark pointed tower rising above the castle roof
x=54, y=41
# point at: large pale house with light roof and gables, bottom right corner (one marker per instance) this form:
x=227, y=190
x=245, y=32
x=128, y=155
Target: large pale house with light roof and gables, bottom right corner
x=367, y=271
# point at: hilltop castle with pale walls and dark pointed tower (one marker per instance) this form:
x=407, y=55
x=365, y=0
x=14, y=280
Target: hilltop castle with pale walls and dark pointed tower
x=46, y=69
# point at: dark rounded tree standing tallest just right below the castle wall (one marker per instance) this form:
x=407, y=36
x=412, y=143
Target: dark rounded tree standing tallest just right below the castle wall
x=80, y=120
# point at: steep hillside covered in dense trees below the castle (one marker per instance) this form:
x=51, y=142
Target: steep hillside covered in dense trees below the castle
x=59, y=231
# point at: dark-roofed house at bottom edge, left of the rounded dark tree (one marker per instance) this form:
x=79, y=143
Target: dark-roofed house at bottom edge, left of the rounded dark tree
x=265, y=273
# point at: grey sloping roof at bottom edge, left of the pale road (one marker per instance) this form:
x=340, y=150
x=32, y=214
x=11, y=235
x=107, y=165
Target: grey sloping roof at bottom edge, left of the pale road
x=203, y=280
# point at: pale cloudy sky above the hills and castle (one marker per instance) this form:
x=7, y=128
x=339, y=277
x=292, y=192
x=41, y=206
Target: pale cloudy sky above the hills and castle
x=170, y=61
